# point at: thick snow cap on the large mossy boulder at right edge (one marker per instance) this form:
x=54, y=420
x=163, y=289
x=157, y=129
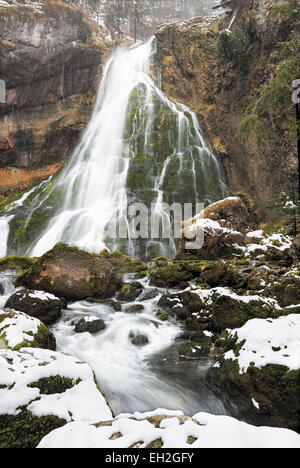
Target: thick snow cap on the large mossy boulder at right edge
x=268, y=342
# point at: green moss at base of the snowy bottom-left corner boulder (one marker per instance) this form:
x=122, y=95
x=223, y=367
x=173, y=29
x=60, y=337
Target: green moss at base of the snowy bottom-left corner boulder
x=26, y=430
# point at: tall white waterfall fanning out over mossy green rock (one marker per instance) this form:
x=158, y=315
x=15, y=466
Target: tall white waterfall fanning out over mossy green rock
x=139, y=146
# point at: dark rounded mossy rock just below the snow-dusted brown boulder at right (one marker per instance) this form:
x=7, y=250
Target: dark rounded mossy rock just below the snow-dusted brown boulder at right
x=221, y=274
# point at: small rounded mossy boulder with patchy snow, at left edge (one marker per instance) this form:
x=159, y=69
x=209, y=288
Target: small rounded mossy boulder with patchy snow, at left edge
x=18, y=330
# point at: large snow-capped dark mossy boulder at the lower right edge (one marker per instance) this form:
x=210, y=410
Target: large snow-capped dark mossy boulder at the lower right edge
x=260, y=371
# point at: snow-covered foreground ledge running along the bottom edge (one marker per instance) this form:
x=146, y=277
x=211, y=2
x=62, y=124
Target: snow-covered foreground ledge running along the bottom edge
x=174, y=430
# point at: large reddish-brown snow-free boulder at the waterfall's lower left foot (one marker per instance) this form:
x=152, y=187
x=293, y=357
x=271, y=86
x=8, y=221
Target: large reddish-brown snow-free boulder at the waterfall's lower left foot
x=73, y=274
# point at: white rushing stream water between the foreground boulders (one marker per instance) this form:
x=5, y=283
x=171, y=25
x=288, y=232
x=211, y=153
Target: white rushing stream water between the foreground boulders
x=125, y=372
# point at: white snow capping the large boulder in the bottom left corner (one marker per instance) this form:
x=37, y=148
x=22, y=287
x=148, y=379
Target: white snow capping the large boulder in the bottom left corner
x=83, y=402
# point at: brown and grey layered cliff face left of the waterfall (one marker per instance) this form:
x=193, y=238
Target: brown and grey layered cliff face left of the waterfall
x=51, y=58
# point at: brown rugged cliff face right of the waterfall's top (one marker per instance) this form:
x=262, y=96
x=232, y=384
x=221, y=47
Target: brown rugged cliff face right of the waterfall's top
x=220, y=92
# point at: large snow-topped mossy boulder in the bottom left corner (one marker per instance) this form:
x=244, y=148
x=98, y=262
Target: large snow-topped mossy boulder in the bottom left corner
x=41, y=390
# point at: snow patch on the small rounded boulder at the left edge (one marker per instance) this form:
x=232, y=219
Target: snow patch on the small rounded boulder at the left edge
x=17, y=328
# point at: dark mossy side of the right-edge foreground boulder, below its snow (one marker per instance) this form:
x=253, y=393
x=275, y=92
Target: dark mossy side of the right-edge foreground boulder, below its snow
x=275, y=388
